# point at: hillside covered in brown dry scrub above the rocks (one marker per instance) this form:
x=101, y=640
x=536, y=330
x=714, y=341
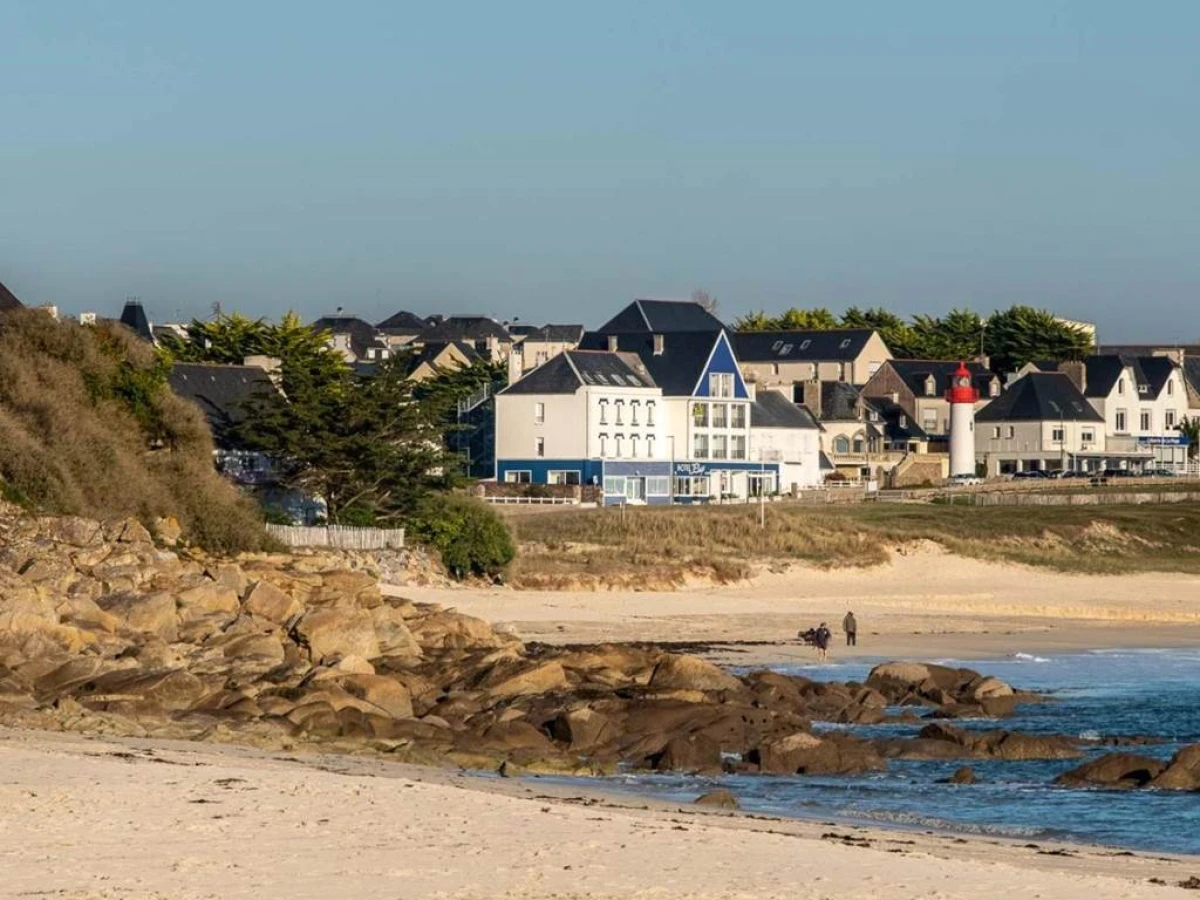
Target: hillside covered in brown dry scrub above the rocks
x=89, y=428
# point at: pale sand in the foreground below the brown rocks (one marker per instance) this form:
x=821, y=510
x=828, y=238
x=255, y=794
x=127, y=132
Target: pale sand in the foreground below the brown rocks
x=86, y=820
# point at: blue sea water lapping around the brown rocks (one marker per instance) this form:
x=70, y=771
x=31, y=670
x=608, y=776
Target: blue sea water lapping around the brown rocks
x=1105, y=693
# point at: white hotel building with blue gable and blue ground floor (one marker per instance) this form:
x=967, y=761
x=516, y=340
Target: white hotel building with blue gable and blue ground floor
x=653, y=409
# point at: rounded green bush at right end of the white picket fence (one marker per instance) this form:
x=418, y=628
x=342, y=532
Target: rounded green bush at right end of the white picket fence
x=469, y=535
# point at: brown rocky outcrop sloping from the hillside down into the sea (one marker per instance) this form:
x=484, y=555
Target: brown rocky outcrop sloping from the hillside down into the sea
x=113, y=628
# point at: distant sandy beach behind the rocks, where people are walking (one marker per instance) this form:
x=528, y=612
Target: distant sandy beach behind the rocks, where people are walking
x=923, y=605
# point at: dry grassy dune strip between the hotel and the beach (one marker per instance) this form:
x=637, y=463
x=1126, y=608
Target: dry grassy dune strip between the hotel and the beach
x=658, y=548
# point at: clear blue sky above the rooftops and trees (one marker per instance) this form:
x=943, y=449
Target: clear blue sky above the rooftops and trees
x=555, y=160
